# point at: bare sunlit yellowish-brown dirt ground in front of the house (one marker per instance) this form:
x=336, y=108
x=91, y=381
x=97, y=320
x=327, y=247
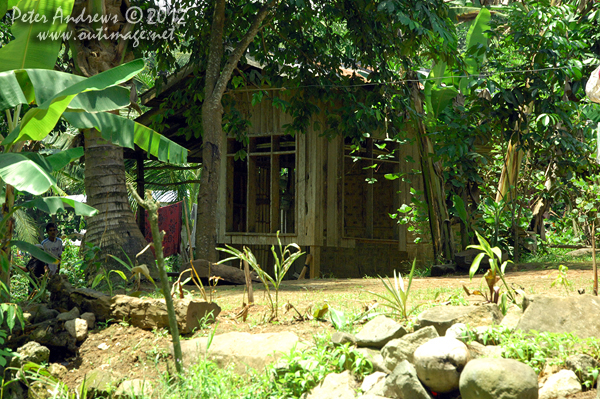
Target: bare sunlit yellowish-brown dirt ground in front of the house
x=129, y=352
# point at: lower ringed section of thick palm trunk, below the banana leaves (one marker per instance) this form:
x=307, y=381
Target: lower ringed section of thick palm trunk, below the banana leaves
x=114, y=228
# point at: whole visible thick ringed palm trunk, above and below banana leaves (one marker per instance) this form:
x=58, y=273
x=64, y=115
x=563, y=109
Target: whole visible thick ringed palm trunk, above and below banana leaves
x=114, y=229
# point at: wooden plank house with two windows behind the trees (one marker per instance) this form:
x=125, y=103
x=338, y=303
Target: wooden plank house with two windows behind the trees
x=327, y=196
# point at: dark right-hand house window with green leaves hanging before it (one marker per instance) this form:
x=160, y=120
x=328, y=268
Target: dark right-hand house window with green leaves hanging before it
x=369, y=197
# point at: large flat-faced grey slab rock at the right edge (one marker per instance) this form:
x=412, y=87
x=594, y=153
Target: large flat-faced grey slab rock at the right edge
x=562, y=315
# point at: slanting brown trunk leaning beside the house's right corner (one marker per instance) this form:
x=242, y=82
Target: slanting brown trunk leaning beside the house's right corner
x=439, y=219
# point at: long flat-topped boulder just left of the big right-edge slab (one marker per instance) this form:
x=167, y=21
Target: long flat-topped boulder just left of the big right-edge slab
x=442, y=317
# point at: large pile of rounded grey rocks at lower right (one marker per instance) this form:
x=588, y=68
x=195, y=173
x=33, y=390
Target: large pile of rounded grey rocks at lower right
x=441, y=358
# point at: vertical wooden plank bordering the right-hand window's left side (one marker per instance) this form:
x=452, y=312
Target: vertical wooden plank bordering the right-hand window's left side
x=333, y=203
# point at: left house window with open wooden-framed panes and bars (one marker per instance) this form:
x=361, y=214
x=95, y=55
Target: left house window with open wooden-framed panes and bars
x=261, y=188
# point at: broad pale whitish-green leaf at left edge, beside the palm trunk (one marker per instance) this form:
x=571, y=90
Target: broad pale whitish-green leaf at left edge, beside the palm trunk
x=25, y=174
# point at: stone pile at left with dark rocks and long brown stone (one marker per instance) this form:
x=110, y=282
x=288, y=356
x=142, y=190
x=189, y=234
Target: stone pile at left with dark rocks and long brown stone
x=64, y=324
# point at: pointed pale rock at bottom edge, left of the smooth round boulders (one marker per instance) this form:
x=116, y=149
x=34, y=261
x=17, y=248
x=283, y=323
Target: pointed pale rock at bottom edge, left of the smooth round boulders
x=402, y=383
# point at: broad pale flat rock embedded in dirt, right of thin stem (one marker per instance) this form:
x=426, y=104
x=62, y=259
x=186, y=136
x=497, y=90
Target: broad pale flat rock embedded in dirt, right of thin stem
x=240, y=348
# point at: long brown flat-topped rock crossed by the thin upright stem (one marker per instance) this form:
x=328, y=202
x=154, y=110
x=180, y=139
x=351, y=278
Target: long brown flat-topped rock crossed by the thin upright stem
x=150, y=313
